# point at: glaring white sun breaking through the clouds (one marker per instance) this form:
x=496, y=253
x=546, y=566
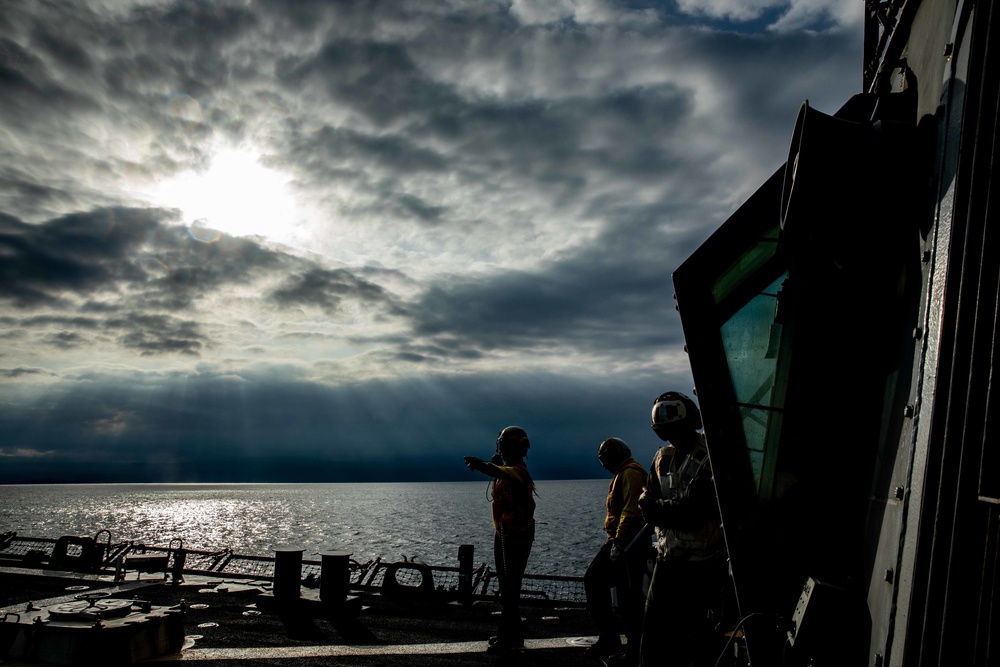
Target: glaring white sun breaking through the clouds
x=236, y=195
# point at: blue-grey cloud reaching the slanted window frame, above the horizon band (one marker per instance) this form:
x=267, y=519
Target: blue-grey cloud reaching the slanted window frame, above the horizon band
x=613, y=298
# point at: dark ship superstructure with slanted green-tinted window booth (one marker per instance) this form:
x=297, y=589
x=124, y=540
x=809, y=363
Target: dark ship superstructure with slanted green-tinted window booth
x=841, y=328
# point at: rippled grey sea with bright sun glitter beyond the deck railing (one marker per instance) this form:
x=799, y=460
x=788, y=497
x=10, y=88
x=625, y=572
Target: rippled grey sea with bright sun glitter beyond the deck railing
x=426, y=520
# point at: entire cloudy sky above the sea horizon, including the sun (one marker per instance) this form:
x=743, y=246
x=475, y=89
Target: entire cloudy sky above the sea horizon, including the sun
x=352, y=240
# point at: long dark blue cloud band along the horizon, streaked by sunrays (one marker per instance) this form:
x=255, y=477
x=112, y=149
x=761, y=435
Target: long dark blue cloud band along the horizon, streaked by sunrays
x=105, y=430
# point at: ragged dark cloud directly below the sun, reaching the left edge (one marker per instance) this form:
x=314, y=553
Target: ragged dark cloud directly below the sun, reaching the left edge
x=126, y=275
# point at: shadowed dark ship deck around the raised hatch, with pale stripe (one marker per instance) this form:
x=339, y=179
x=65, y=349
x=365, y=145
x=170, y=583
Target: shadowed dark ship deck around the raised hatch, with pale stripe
x=238, y=622
